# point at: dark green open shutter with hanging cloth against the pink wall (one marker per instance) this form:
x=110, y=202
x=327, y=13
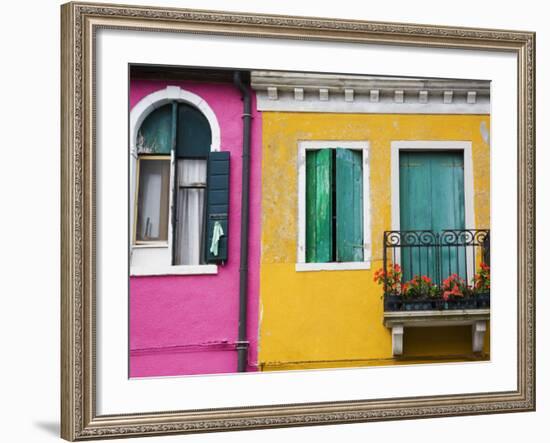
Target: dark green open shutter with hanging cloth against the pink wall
x=217, y=204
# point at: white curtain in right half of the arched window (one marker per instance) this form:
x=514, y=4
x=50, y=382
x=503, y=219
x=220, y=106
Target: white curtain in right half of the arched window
x=190, y=211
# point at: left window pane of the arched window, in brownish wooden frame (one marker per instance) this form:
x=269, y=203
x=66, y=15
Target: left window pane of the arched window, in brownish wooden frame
x=154, y=183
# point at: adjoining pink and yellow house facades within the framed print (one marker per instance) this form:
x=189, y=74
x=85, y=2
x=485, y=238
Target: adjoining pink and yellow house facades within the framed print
x=340, y=167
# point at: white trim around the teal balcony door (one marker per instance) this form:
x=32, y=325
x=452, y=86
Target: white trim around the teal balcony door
x=439, y=145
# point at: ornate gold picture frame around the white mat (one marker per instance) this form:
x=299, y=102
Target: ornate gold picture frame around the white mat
x=80, y=24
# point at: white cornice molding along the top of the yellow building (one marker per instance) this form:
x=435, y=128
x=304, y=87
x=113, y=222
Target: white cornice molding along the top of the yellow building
x=307, y=92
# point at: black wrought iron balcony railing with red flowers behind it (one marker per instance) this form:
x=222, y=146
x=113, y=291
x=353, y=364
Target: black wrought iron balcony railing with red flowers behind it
x=422, y=268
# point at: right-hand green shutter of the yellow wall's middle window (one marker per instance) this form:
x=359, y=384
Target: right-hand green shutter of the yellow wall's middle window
x=349, y=205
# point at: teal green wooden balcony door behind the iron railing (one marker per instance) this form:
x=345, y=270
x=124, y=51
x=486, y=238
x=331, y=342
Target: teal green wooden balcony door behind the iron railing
x=431, y=194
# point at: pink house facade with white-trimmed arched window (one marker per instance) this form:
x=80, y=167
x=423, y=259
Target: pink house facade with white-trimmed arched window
x=184, y=307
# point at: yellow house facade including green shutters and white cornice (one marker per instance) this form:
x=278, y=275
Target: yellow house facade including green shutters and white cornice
x=321, y=306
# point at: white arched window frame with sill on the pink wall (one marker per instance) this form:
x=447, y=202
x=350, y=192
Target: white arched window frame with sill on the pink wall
x=157, y=259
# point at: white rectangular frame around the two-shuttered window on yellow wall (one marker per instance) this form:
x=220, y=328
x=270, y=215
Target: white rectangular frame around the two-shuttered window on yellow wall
x=301, y=264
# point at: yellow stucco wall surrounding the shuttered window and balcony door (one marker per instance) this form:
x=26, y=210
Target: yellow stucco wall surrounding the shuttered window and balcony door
x=334, y=318
